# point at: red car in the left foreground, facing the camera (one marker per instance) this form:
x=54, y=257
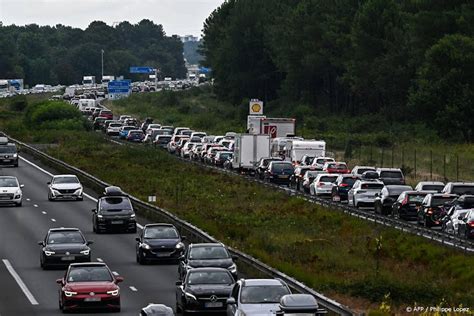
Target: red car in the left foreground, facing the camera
x=89, y=286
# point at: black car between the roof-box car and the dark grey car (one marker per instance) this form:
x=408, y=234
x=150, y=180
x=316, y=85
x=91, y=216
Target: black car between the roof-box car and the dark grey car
x=158, y=242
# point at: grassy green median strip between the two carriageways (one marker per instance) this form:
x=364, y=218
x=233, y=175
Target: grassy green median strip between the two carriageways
x=356, y=262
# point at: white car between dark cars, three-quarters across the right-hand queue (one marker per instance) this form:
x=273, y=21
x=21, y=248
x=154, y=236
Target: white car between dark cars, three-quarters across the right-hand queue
x=363, y=193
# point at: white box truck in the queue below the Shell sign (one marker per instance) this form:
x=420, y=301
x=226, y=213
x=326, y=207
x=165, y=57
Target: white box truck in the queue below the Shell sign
x=248, y=149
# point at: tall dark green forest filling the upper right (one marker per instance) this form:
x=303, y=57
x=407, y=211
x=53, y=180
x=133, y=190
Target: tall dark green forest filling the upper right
x=409, y=59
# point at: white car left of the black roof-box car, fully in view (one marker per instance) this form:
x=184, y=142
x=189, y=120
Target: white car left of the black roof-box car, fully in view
x=65, y=186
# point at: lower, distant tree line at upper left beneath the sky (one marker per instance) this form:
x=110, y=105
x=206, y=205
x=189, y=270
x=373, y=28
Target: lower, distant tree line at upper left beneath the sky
x=62, y=54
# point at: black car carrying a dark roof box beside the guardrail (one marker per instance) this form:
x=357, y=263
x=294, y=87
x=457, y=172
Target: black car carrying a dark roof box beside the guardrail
x=114, y=212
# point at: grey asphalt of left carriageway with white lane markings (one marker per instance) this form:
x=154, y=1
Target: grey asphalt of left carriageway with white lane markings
x=26, y=289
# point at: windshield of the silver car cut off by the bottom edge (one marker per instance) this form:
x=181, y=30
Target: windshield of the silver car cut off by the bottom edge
x=262, y=294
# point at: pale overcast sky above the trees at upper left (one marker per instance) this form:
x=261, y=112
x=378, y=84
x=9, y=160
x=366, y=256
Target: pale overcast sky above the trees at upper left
x=180, y=17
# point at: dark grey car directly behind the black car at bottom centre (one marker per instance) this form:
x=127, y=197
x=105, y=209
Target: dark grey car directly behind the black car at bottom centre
x=207, y=255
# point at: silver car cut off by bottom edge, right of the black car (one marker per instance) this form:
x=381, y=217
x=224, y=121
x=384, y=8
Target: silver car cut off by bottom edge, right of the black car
x=256, y=297
